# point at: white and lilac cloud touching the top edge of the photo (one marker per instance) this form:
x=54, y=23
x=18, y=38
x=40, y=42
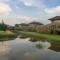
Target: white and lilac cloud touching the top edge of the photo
x=35, y=3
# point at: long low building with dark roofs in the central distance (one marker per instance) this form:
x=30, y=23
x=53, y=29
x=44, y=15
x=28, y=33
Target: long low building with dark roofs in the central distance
x=28, y=27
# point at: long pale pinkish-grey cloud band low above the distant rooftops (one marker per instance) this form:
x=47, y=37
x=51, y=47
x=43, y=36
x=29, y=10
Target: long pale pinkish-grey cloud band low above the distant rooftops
x=19, y=19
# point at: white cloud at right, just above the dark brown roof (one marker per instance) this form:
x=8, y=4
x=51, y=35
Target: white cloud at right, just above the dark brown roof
x=53, y=11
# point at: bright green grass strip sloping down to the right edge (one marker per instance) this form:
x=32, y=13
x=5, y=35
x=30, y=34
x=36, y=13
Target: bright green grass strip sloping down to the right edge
x=48, y=37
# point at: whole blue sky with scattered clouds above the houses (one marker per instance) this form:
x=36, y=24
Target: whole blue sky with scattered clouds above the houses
x=25, y=11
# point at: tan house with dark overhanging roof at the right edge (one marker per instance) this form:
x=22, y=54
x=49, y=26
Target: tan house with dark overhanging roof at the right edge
x=55, y=25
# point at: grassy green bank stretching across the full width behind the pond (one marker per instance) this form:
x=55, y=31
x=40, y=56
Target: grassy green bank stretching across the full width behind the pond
x=35, y=35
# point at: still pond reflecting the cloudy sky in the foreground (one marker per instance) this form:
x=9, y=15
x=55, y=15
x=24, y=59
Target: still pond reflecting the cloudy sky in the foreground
x=24, y=49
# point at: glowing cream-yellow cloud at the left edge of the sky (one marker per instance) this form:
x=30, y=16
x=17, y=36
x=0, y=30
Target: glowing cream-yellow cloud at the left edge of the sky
x=4, y=8
